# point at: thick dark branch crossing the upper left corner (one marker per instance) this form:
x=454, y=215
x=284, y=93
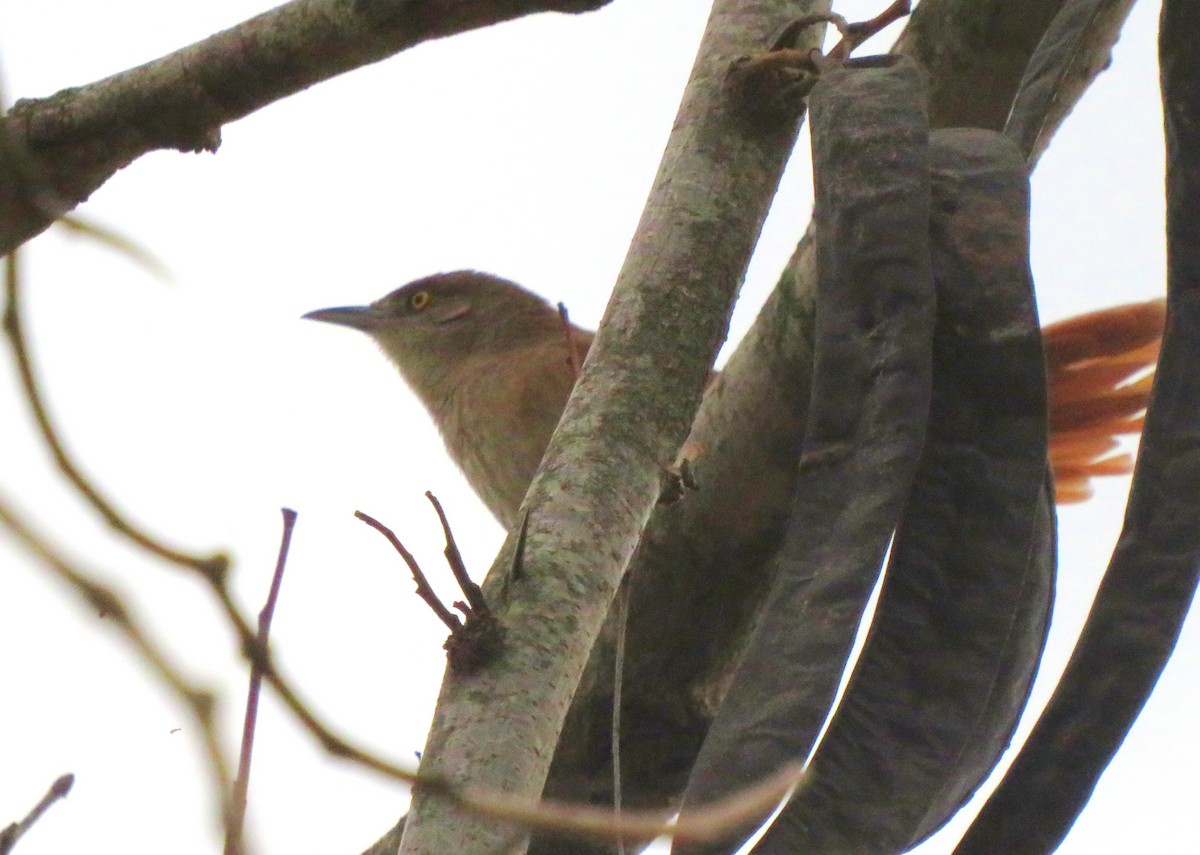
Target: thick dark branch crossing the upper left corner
x=58, y=151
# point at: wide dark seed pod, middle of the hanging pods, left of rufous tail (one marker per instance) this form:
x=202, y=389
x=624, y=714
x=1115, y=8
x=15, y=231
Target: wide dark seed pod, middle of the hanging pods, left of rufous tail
x=963, y=613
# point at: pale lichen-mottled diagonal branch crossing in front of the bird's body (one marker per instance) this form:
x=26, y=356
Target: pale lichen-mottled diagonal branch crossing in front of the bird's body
x=631, y=411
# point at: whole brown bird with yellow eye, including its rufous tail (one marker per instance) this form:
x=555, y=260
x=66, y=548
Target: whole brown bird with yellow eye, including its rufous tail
x=490, y=360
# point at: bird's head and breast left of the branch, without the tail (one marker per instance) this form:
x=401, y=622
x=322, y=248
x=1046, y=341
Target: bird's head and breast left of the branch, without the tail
x=491, y=364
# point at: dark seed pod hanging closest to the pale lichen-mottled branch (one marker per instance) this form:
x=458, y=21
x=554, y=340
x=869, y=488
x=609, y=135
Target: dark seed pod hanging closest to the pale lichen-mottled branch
x=866, y=427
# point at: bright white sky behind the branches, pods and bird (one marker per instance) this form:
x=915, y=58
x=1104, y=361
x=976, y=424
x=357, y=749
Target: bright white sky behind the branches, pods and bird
x=206, y=405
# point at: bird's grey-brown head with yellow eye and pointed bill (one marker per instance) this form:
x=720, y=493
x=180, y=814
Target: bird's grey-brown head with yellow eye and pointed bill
x=437, y=326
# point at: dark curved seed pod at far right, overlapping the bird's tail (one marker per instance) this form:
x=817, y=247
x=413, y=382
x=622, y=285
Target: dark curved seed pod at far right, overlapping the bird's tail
x=1153, y=577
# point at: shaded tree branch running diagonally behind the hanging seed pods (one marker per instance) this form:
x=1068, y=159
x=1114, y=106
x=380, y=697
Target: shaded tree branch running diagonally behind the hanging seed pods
x=704, y=565
